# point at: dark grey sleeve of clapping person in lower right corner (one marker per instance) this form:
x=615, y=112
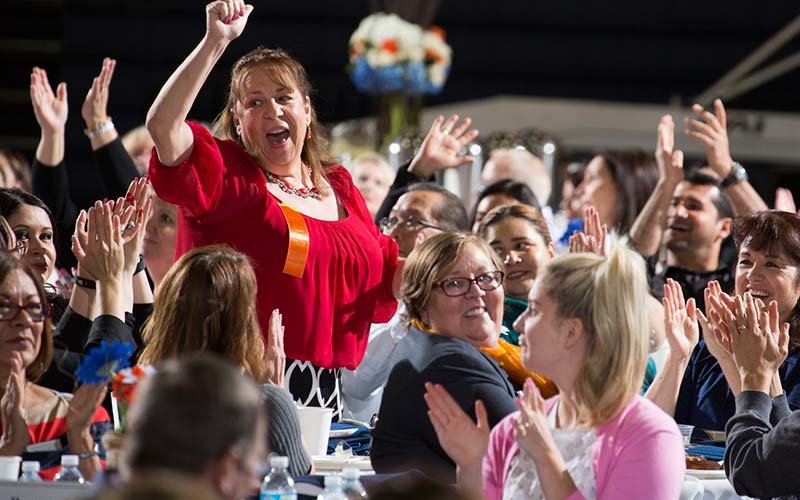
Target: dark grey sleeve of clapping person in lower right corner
x=762, y=461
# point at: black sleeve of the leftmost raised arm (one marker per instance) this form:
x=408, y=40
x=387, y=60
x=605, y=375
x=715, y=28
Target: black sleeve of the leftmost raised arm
x=51, y=185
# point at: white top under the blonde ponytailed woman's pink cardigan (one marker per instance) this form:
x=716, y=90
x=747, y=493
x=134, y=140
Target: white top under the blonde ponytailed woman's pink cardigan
x=575, y=447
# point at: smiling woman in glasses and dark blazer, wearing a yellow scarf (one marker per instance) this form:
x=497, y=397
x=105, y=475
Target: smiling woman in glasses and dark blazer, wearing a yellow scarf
x=453, y=290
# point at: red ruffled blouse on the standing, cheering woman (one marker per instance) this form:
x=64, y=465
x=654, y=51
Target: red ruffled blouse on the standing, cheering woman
x=222, y=196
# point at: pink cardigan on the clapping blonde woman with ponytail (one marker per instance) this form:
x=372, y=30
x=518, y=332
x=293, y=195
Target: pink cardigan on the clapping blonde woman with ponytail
x=638, y=454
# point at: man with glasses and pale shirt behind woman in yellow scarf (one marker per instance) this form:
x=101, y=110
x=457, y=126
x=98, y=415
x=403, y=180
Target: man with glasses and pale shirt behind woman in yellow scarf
x=424, y=210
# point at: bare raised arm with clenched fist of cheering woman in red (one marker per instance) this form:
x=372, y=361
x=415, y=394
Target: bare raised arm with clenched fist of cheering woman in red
x=225, y=21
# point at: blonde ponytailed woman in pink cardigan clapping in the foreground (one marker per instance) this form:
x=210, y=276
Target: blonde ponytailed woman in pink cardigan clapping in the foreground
x=586, y=329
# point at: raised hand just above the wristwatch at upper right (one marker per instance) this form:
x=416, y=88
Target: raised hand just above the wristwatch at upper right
x=711, y=130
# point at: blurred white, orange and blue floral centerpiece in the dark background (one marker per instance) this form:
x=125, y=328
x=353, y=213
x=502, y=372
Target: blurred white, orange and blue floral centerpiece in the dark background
x=399, y=61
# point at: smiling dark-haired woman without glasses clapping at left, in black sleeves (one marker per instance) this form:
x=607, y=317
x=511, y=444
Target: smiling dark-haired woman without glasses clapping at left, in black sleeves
x=82, y=325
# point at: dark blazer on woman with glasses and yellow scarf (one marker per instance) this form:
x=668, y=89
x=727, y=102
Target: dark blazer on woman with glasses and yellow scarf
x=404, y=437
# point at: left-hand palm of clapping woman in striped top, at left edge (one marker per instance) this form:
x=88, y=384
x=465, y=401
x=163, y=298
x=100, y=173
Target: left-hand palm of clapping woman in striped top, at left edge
x=15, y=430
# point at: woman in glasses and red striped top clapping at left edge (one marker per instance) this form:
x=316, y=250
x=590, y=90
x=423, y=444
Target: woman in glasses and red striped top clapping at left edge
x=30, y=413
